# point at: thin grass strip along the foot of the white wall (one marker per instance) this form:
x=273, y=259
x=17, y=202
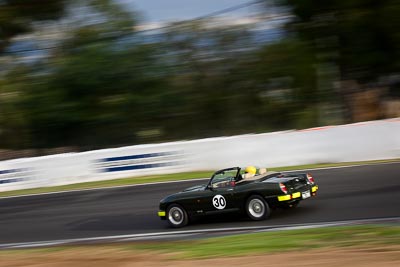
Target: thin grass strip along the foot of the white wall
x=168, y=177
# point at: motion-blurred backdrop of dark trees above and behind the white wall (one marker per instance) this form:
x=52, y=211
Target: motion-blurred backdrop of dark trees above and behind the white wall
x=90, y=74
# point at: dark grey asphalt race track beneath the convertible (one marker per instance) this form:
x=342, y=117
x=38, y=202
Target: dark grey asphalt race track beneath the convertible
x=360, y=192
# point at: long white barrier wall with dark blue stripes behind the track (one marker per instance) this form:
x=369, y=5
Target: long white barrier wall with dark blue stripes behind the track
x=352, y=142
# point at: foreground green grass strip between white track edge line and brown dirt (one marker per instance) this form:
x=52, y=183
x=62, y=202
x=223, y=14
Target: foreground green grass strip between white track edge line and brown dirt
x=251, y=244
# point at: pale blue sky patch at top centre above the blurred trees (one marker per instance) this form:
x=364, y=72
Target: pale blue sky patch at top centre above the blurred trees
x=159, y=11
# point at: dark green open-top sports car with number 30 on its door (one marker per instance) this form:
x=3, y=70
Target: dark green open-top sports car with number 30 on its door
x=249, y=191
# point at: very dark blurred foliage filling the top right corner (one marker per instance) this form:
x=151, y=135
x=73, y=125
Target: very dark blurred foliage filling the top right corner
x=362, y=35
